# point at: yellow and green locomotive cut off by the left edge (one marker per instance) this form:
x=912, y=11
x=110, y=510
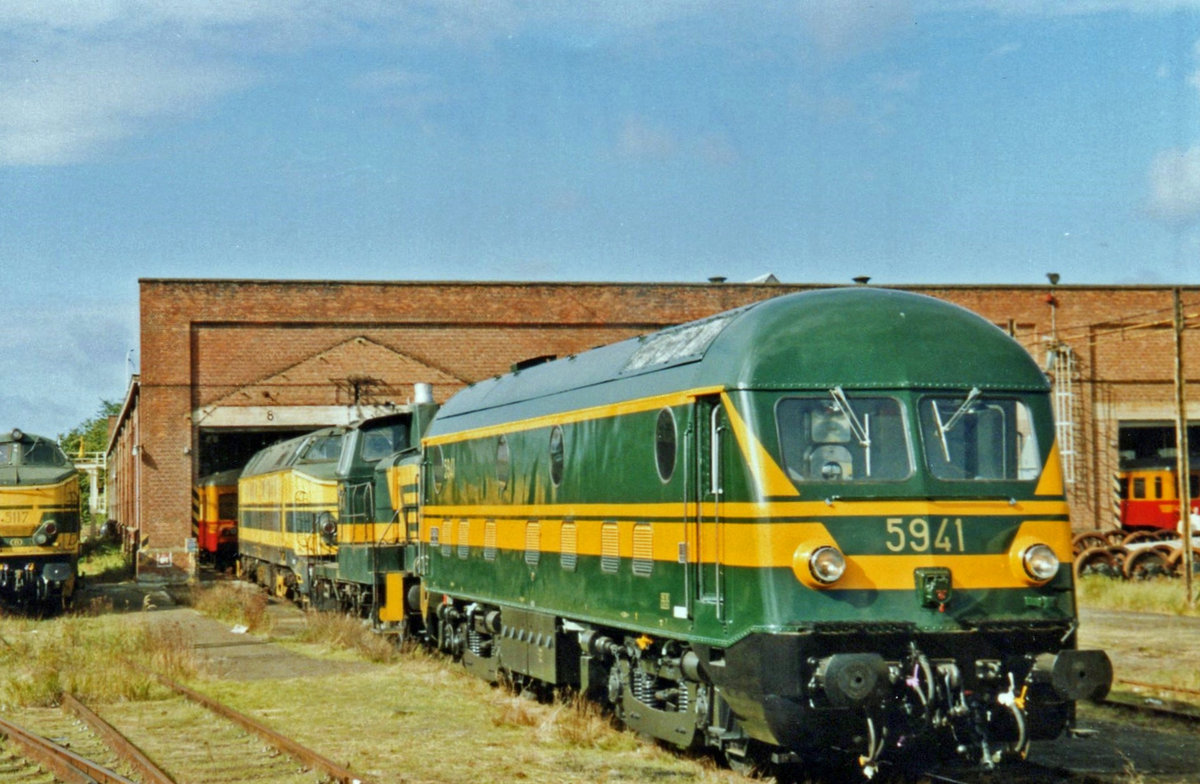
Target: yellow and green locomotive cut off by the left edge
x=39, y=523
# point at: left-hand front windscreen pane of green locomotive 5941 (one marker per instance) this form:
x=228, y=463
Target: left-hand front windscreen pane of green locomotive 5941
x=844, y=439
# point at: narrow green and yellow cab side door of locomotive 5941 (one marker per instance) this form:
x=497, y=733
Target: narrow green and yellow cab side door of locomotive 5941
x=711, y=426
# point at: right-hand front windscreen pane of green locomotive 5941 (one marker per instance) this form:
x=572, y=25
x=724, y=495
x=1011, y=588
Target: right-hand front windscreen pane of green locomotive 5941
x=977, y=438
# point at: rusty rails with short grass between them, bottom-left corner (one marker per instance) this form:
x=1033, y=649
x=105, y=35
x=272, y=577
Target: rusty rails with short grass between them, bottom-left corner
x=76, y=746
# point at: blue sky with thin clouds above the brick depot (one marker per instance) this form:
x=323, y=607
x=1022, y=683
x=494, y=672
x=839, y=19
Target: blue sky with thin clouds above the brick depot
x=920, y=142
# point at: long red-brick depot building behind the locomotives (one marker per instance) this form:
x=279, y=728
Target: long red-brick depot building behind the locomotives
x=229, y=367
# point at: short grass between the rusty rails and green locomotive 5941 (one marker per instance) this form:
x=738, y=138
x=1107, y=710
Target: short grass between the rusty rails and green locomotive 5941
x=481, y=733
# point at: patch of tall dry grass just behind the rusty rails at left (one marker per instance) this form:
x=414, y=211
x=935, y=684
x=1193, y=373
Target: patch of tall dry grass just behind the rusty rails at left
x=100, y=659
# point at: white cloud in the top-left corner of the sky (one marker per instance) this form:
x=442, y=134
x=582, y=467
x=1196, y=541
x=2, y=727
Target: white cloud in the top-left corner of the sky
x=82, y=76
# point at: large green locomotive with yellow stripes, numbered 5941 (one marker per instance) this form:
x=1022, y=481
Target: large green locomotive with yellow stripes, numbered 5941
x=833, y=520
